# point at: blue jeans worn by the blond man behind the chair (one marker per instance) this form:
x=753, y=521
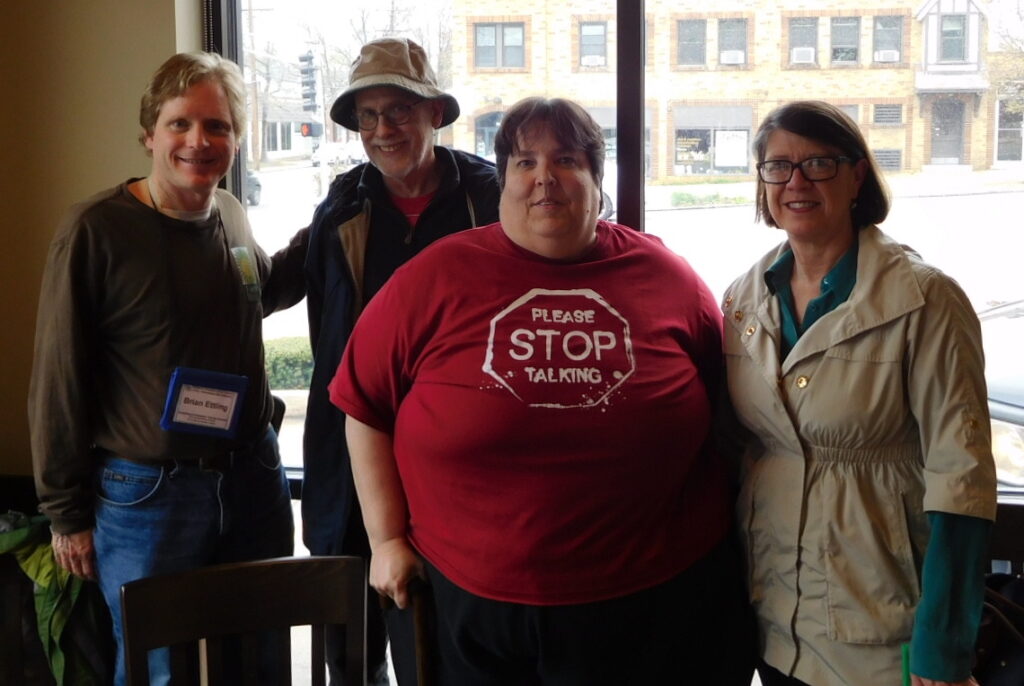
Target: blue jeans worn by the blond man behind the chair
x=159, y=520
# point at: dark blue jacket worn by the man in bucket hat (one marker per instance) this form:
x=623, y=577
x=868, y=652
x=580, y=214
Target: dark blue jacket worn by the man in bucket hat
x=358, y=204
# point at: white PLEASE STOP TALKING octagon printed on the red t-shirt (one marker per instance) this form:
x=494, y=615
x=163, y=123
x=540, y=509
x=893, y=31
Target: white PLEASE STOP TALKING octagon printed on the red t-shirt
x=561, y=349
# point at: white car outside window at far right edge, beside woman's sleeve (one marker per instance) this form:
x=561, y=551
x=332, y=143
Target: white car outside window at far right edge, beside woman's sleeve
x=1003, y=328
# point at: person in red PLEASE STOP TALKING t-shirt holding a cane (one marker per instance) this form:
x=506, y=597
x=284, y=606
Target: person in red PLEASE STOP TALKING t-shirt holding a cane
x=531, y=436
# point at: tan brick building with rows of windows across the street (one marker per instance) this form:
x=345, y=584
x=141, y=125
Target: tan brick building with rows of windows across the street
x=912, y=73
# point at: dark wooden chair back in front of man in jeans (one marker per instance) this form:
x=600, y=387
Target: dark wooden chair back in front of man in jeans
x=194, y=613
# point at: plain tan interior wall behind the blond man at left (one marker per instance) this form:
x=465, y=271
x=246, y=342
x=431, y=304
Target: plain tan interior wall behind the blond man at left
x=72, y=74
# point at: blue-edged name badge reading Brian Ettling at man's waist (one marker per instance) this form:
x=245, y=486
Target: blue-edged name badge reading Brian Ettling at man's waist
x=204, y=402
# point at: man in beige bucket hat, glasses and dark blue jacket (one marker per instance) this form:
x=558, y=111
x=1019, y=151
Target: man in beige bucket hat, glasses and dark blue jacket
x=375, y=218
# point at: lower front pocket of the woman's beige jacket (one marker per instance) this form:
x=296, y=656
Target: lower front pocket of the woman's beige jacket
x=871, y=573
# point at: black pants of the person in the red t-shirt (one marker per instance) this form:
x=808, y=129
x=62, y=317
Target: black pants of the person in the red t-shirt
x=695, y=629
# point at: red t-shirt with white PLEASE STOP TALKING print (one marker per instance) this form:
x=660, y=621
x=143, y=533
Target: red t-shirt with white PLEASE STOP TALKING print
x=550, y=420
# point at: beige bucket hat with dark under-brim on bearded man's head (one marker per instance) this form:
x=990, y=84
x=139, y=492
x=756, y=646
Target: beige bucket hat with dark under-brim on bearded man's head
x=392, y=62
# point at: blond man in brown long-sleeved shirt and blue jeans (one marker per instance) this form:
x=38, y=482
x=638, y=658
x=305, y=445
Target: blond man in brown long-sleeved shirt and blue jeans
x=149, y=408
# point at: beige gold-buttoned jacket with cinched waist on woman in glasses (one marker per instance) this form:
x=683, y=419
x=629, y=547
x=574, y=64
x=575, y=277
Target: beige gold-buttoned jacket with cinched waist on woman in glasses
x=878, y=415
